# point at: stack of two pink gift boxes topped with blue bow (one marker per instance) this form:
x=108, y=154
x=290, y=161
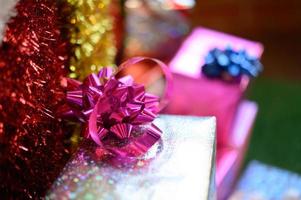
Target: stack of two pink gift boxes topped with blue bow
x=211, y=73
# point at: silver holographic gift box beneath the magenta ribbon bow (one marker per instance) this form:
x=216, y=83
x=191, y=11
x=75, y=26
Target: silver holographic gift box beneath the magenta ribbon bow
x=181, y=166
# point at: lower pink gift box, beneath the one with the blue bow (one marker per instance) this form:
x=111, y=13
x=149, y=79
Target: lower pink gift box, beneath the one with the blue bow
x=230, y=157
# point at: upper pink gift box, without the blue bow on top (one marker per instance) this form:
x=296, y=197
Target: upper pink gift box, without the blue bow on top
x=195, y=94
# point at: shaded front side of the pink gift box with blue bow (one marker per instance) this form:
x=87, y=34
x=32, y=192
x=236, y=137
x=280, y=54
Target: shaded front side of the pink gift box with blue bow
x=202, y=97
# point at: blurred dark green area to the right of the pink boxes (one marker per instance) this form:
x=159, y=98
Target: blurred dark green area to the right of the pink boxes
x=276, y=137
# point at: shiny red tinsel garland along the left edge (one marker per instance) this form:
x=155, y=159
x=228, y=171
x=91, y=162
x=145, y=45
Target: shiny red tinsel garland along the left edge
x=33, y=60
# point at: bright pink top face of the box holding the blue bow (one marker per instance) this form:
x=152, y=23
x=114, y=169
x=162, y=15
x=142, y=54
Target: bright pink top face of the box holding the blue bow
x=191, y=56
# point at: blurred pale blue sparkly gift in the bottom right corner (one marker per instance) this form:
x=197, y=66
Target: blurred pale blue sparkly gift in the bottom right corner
x=261, y=182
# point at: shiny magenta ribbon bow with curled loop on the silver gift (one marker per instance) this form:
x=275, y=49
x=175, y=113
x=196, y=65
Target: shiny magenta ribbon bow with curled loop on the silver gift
x=118, y=112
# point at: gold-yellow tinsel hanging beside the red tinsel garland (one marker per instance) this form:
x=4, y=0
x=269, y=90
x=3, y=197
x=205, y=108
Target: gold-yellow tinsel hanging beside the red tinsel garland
x=92, y=37
